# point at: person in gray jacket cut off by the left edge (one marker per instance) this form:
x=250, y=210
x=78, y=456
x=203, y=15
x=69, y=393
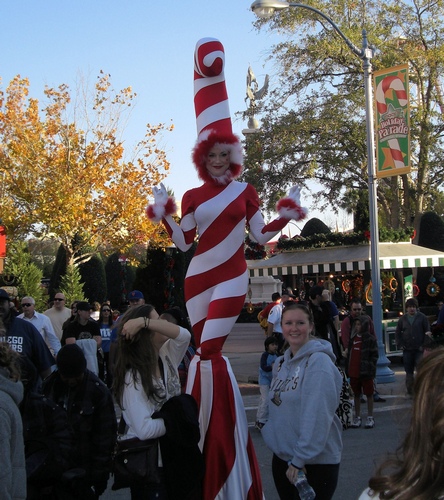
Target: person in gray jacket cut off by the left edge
x=12, y=450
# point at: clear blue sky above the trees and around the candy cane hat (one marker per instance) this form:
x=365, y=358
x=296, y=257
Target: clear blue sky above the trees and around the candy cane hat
x=144, y=44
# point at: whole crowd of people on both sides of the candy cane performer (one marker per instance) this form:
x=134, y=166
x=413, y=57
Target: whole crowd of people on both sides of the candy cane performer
x=61, y=424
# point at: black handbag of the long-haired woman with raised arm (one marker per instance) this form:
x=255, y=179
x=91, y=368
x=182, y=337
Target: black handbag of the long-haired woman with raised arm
x=135, y=460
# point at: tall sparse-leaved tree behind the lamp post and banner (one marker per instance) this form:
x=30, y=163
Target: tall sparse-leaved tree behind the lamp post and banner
x=313, y=123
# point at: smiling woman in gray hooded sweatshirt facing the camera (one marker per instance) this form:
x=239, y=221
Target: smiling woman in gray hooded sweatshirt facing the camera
x=303, y=430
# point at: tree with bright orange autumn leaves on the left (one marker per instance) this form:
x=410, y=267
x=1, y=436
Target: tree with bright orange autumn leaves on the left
x=64, y=170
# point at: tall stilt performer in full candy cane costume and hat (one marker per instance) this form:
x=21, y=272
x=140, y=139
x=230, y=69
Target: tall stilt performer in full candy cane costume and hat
x=217, y=278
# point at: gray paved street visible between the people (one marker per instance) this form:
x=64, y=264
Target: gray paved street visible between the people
x=363, y=448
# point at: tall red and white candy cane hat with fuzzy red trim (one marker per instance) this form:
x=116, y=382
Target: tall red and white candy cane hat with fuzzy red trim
x=212, y=110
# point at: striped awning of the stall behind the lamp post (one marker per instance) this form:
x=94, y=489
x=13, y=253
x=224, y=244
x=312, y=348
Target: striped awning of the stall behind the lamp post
x=345, y=259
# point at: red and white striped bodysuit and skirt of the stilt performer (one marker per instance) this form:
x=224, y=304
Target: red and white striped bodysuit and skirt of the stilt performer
x=215, y=290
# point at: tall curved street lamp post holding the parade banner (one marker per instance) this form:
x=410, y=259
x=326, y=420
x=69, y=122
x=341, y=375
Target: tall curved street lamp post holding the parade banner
x=266, y=8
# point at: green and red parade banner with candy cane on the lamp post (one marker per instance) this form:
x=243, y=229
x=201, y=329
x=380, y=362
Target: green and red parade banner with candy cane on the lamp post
x=392, y=121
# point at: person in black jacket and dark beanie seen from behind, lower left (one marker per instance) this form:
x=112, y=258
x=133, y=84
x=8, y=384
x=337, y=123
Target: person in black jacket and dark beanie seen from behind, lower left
x=91, y=415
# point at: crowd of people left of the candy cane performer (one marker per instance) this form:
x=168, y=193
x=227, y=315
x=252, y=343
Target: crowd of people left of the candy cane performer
x=59, y=401
